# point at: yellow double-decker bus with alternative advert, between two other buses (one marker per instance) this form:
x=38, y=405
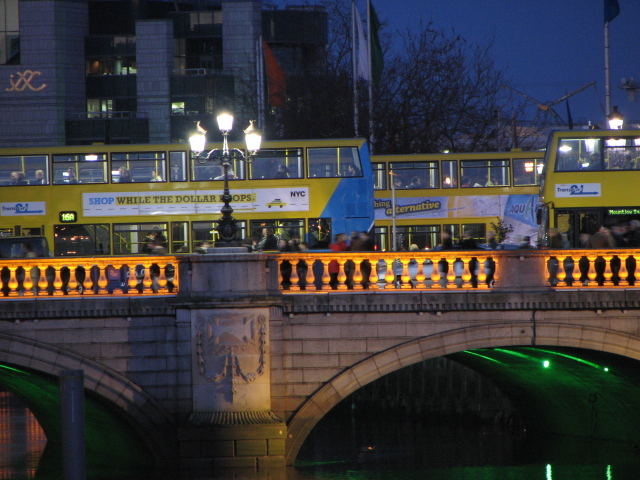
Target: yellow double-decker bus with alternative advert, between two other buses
x=420, y=196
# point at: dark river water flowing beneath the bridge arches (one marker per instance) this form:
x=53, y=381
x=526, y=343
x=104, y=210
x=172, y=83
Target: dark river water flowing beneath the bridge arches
x=370, y=445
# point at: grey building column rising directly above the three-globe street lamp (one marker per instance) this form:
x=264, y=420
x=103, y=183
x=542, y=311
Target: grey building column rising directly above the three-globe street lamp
x=241, y=29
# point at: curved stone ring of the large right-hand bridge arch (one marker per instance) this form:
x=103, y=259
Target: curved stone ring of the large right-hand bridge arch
x=548, y=332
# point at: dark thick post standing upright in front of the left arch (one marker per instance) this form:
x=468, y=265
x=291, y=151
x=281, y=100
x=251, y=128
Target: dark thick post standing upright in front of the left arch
x=72, y=411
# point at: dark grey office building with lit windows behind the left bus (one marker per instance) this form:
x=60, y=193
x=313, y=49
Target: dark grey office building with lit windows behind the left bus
x=107, y=71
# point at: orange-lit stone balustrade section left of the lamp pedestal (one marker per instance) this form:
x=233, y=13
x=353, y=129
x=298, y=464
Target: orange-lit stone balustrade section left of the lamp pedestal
x=75, y=276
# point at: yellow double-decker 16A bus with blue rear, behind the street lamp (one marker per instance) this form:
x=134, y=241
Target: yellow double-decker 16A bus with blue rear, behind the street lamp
x=131, y=199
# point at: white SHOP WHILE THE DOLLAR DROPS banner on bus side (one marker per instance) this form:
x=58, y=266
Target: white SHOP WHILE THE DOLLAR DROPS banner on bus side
x=187, y=202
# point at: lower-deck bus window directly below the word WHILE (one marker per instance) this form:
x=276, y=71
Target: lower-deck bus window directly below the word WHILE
x=131, y=238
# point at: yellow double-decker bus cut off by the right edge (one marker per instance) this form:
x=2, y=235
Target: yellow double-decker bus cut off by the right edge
x=591, y=181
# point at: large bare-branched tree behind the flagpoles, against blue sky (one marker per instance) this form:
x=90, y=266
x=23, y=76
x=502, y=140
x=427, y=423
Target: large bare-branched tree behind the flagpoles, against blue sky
x=436, y=93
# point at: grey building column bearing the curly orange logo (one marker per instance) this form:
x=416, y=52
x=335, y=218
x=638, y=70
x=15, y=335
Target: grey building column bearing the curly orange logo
x=48, y=86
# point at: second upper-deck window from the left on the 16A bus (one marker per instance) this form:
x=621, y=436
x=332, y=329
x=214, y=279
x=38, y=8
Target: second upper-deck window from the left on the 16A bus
x=79, y=168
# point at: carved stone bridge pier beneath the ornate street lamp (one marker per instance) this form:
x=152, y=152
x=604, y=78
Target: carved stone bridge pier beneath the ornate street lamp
x=228, y=304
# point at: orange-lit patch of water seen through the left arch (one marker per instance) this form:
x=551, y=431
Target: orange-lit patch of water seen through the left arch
x=22, y=441
